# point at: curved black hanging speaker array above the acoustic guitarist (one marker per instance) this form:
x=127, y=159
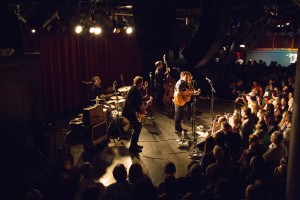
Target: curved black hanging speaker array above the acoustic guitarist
x=210, y=34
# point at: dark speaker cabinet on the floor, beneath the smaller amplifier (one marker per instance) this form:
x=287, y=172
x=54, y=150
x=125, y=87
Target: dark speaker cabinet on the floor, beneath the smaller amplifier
x=95, y=134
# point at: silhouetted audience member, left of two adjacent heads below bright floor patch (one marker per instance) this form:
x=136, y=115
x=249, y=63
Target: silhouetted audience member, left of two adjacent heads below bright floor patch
x=121, y=189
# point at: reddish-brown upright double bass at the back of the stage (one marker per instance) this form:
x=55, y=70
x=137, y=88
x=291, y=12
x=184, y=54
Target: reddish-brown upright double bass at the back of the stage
x=169, y=86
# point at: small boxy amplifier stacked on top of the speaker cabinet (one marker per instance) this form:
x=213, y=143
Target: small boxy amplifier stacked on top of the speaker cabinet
x=93, y=115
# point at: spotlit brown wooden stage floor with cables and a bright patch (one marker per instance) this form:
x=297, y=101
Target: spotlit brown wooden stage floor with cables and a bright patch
x=160, y=145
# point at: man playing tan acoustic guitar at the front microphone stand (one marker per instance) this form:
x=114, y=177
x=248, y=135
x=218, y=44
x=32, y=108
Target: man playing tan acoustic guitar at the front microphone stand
x=184, y=90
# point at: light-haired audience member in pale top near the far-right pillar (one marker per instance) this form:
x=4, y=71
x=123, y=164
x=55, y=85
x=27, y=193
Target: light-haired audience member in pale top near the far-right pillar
x=275, y=153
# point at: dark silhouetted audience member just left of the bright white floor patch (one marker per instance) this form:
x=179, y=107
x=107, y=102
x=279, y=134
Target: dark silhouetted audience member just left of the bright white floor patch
x=88, y=180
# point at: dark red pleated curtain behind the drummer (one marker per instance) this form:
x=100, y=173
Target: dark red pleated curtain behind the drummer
x=69, y=59
